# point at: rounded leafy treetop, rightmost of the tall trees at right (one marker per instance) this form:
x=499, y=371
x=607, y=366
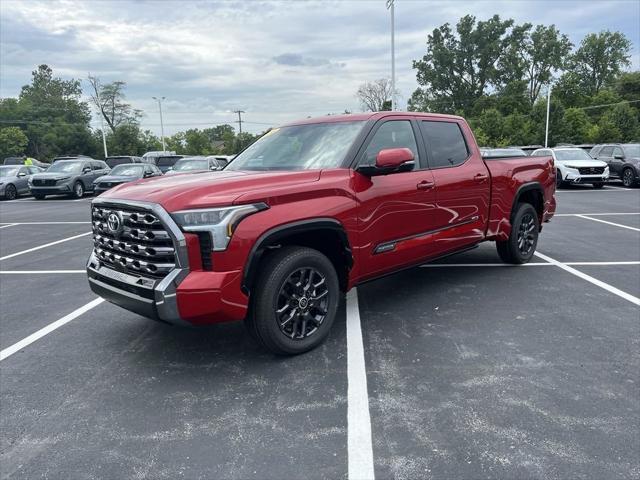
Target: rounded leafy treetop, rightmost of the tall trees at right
x=600, y=58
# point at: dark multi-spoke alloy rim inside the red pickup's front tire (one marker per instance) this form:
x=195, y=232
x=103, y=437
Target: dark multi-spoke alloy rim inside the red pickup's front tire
x=302, y=303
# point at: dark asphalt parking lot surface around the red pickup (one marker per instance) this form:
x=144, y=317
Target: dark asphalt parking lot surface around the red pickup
x=473, y=369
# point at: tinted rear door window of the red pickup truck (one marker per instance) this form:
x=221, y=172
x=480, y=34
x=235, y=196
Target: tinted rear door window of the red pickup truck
x=446, y=143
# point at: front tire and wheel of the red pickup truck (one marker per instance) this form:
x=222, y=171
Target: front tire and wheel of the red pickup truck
x=278, y=304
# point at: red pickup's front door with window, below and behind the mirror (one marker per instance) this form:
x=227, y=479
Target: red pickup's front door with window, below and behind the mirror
x=394, y=210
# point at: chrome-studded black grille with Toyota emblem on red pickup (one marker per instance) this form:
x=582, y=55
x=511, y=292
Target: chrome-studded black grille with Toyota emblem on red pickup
x=135, y=241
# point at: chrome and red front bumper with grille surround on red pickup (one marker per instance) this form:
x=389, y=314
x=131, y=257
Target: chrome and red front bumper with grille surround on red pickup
x=187, y=296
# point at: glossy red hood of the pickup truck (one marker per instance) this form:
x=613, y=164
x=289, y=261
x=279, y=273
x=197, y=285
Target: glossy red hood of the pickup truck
x=210, y=189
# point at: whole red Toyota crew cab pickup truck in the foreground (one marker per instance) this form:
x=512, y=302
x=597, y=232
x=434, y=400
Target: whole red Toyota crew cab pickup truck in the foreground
x=307, y=212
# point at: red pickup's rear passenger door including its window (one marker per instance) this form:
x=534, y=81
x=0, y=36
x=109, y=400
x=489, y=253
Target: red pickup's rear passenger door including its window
x=463, y=184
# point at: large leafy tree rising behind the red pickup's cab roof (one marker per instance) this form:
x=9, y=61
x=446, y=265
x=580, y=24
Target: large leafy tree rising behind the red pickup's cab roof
x=459, y=67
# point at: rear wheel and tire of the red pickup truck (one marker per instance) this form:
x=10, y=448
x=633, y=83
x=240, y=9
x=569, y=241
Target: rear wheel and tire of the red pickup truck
x=522, y=242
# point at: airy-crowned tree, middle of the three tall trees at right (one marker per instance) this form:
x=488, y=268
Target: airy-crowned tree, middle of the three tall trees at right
x=533, y=56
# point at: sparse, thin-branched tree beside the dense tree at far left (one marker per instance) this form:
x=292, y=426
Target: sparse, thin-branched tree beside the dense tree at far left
x=110, y=101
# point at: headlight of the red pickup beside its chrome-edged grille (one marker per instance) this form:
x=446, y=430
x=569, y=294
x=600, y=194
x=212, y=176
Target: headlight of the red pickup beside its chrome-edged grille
x=220, y=223
